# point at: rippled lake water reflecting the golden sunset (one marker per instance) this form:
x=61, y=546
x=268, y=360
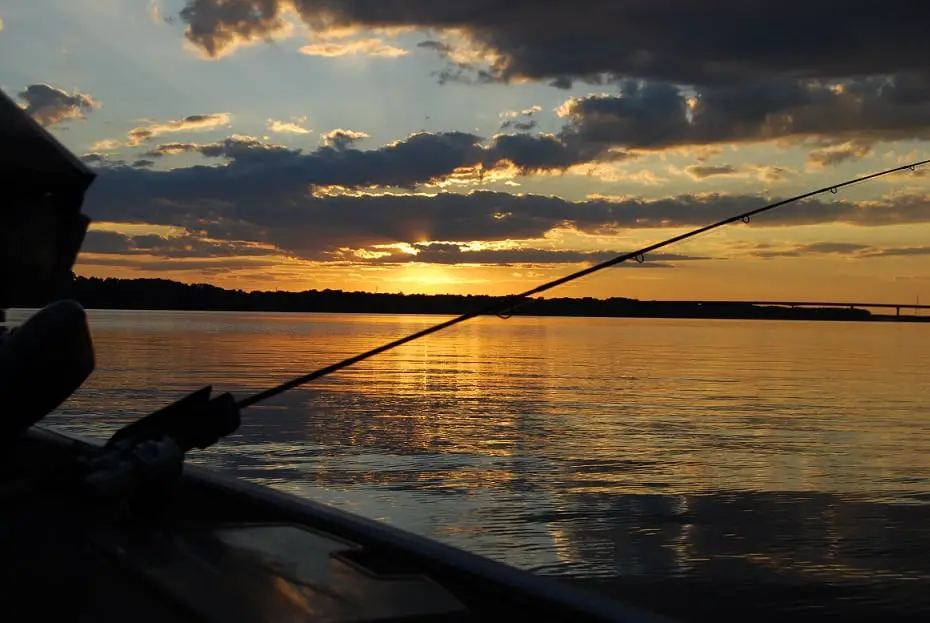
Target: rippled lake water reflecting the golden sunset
x=702, y=467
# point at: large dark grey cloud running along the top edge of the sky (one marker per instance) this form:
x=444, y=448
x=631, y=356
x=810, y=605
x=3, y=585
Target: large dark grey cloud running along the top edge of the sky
x=676, y=40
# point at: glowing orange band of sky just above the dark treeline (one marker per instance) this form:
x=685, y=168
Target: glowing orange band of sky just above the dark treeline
x=729, y=276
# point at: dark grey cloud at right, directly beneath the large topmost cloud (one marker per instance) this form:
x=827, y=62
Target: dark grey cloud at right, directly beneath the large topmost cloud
x=657, y=116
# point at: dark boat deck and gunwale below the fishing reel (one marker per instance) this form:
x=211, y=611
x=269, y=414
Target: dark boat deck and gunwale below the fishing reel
x=217, y=548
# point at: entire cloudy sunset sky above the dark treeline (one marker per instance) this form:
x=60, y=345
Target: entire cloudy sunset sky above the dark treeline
x=482, y=146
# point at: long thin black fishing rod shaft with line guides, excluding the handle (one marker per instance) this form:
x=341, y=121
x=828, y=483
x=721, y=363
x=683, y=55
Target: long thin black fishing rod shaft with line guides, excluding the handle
x=502, y=308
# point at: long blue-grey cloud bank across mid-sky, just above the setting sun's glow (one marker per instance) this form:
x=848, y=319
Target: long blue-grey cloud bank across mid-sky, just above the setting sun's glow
x=263, y=194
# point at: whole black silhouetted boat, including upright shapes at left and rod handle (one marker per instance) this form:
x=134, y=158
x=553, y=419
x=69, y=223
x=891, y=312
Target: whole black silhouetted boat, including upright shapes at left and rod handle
x=119, y=532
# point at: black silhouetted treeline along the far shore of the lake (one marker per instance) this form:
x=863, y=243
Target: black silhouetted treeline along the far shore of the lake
x=164, y=294
